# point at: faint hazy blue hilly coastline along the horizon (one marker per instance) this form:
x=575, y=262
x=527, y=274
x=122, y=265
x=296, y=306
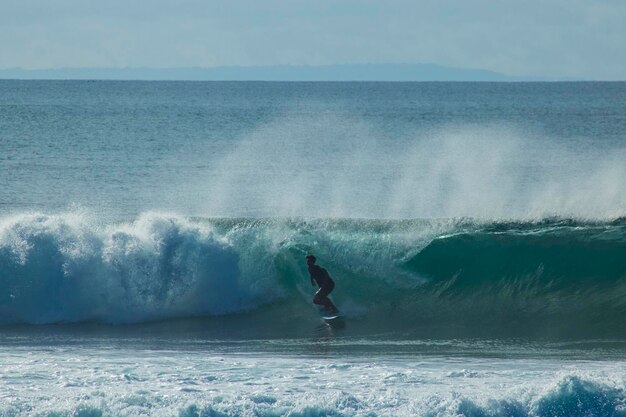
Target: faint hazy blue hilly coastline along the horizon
x=347, y=72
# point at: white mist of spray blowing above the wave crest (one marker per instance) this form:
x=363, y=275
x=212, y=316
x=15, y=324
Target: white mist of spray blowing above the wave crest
x=326, y=166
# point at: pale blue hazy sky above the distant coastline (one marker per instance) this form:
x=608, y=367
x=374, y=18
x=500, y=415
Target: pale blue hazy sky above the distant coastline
x=537, y=38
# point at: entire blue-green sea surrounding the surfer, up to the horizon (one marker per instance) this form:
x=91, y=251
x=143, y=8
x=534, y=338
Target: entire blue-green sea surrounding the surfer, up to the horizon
x=153, y=234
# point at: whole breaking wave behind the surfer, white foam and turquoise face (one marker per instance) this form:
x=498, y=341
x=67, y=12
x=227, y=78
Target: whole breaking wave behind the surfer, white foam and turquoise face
x=457, y=277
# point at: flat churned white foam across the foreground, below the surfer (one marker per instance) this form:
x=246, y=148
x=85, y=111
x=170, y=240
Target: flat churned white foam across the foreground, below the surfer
x=125, y=381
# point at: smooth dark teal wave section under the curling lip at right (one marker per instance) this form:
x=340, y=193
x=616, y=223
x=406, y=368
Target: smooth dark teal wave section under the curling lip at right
x=562, y=254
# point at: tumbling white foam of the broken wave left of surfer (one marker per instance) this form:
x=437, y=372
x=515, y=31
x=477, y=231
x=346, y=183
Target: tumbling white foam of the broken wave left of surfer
x=67, y=268
